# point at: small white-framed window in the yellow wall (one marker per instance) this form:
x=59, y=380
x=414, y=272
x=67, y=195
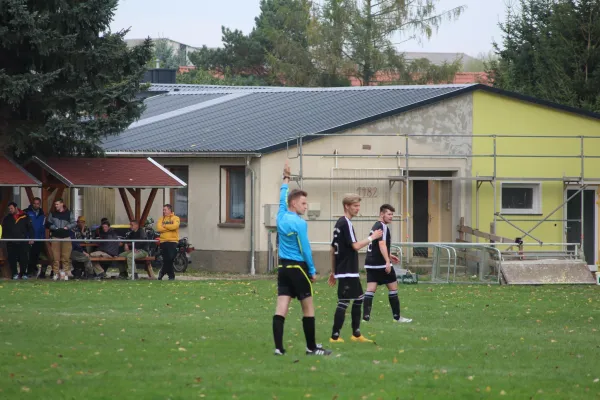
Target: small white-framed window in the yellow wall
x=521, y=198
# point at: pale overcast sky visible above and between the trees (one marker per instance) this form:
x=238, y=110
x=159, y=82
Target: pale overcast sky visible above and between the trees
x=198, y=22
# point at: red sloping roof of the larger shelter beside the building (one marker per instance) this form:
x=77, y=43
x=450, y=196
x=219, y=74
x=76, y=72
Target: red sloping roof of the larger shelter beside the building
x=109, y=172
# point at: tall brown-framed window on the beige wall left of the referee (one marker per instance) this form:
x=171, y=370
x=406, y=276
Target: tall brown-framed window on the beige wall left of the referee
x=233, y=195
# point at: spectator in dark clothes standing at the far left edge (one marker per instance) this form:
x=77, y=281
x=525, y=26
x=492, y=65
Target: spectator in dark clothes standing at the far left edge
x=17, y=225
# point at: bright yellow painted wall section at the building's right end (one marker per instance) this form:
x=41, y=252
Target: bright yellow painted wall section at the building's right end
x=496, y=114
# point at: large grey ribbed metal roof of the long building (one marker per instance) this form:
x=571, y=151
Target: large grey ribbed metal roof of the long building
x=200, y=119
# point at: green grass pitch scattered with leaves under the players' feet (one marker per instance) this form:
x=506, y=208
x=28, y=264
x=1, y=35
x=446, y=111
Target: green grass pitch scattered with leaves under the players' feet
x=212, y=339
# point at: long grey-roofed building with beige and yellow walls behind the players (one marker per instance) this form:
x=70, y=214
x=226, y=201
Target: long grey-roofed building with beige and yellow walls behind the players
x=230, y=143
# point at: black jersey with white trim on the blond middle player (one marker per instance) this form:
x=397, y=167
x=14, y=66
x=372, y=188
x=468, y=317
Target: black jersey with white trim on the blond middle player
x=346, y=258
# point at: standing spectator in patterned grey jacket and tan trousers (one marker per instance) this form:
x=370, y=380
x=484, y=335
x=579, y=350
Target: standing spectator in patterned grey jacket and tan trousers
x=60, y=222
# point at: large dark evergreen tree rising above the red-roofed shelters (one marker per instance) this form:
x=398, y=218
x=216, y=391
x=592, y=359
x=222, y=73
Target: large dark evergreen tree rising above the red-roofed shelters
x=66, y=81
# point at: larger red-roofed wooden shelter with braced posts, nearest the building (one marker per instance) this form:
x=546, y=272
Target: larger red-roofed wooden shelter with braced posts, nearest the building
x=126, y=174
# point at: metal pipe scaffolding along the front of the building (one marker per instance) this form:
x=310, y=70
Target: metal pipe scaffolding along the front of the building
x=581, y=182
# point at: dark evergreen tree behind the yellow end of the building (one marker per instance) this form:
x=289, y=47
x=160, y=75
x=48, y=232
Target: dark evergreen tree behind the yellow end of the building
x=551, y=50
